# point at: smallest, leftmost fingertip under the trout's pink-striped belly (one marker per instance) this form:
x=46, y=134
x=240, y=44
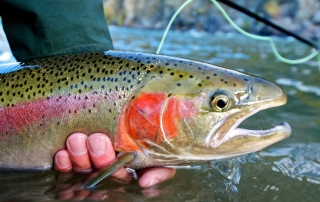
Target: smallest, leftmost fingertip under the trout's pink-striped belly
x=62, y=161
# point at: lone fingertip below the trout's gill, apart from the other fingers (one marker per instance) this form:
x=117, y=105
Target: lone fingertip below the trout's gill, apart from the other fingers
x=154, y=176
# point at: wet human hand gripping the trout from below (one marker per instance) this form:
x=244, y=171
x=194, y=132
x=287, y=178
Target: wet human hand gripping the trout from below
x=86, y=153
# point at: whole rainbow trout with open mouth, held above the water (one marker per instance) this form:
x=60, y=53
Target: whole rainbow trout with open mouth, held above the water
x=164, y=110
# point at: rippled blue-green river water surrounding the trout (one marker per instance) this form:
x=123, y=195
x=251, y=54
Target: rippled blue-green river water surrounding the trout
x=286, y=171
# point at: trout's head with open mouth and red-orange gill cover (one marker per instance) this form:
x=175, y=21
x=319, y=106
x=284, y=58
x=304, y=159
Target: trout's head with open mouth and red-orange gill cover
x=191, y=114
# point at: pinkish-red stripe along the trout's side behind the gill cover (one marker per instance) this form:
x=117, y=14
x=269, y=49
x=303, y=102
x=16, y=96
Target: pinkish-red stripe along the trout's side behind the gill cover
x=14, y=119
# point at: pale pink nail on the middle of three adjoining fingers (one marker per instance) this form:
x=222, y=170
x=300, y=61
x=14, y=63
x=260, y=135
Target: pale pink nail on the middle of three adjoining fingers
x=77, y=145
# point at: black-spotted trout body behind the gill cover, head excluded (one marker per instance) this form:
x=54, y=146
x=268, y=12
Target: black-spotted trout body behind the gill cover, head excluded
x=43, y=103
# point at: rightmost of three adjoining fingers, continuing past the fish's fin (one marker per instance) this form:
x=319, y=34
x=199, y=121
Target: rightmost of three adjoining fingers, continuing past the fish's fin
x=102, y=154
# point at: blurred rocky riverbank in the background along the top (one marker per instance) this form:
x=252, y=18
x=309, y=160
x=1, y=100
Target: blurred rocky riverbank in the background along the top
x=299, y=16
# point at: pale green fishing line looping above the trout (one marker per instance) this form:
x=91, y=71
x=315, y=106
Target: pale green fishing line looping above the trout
x=261, y=38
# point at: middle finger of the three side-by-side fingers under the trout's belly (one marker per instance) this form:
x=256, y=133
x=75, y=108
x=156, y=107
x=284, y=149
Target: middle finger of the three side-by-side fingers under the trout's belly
x=77, y=148
